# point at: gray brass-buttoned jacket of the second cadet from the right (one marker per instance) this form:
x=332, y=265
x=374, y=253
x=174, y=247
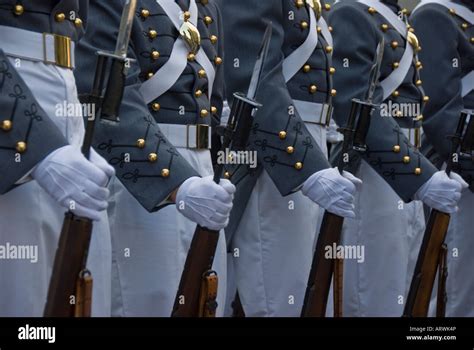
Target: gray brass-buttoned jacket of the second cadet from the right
x=357, y=32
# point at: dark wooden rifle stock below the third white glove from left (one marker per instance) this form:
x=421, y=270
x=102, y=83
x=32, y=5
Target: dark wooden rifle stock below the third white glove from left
x=322, y=269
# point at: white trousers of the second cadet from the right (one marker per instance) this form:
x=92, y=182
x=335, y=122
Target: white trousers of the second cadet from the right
x=388, y=230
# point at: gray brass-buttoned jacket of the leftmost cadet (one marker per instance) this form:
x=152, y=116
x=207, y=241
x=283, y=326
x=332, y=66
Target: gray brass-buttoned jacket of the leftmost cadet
x=25, y=129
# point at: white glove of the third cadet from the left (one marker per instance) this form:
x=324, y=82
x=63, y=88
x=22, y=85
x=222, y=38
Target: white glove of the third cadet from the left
x=333, y=191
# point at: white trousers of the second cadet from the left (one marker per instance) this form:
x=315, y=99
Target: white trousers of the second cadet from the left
x=150, y=250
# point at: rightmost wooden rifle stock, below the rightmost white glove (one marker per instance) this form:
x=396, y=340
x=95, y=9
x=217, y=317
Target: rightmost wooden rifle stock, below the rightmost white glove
x=419, y=295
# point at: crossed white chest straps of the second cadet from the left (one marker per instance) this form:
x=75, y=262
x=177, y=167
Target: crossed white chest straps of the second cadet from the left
x=170, y=72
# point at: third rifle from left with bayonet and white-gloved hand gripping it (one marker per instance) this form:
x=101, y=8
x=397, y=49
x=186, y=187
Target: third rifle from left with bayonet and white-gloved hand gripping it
x=324, y=270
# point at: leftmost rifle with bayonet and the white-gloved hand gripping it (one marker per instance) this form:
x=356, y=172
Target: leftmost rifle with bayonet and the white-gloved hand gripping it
x=70, y=288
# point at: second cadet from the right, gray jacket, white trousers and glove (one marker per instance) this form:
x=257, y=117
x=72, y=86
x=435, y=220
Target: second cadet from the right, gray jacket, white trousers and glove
x=394, y=172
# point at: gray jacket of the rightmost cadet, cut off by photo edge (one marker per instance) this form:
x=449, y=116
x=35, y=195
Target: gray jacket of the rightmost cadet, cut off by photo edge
x=448, y=55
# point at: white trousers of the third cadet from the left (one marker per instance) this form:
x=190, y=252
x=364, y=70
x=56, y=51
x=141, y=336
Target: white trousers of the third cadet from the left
x=272, y=248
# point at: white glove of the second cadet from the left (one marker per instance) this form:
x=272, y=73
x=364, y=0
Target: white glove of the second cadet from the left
x=203, y=201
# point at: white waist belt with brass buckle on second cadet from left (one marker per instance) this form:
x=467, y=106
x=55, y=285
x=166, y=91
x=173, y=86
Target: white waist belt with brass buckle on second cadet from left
x=188, y=136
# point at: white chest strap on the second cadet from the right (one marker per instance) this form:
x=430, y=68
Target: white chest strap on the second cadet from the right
x=396, y=78
